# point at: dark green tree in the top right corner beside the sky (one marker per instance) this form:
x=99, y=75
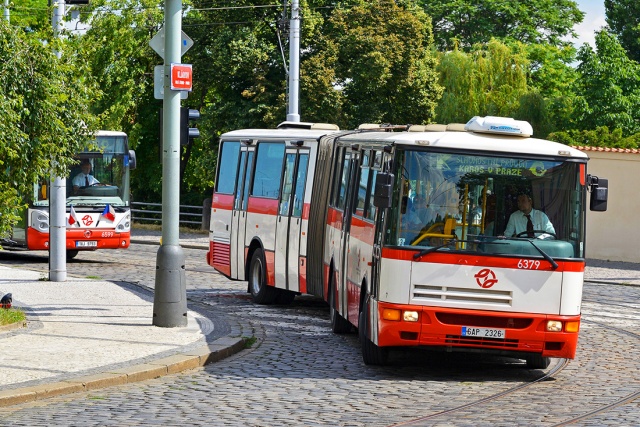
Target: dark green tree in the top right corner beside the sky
x=623, y=17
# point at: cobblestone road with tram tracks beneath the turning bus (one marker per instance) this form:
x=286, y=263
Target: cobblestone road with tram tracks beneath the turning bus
x=300, y=374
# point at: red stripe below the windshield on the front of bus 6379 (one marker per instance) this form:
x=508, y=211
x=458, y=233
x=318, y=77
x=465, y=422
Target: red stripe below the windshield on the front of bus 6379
x=485, y=261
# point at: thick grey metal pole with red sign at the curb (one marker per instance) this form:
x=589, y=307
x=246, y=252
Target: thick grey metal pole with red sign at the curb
x=170, y=296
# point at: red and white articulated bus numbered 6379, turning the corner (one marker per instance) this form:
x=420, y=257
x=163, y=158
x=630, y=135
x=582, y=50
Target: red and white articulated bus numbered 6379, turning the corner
x=408, y=234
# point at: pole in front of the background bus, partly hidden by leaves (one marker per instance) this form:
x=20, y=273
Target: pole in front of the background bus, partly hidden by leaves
x=58, y=193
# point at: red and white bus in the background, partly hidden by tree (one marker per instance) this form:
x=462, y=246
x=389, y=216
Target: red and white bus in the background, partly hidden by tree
x=98, y=213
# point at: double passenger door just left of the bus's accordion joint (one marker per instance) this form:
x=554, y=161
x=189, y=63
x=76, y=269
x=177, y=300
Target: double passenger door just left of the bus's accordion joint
x=289, y=222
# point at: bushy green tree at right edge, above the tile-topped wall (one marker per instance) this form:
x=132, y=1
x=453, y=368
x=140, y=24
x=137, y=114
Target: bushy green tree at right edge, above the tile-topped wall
x=608, y=90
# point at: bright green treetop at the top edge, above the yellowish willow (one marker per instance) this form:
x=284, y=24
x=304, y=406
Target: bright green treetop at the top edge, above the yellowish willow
x=462, y=24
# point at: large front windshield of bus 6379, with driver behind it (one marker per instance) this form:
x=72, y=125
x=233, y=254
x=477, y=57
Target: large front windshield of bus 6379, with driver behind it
x=488, y=204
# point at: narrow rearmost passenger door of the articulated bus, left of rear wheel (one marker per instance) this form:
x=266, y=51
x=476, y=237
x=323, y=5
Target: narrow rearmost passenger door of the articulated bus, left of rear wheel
x=239, y=216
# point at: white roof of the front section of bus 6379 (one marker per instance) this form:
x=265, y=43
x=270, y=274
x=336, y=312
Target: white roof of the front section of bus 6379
x=466, y=140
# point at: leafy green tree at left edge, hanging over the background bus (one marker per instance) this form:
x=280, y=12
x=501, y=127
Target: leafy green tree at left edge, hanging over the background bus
x=44, y=117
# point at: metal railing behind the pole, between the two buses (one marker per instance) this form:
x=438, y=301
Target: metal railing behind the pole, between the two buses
x=189, y=215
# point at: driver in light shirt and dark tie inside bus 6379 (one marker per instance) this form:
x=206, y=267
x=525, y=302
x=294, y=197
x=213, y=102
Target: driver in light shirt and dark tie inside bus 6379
x=528, y=222
